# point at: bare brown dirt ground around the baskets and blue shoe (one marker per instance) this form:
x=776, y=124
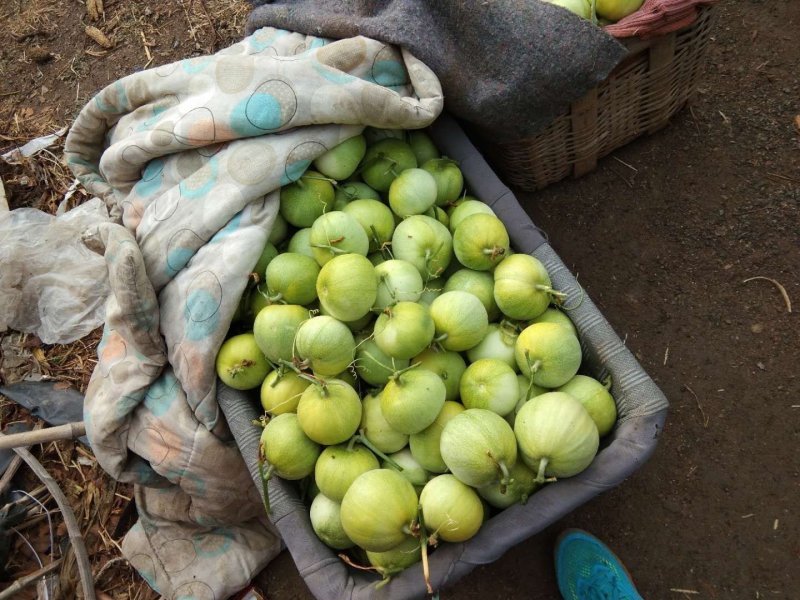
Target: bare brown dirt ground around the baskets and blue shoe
x=664, y=248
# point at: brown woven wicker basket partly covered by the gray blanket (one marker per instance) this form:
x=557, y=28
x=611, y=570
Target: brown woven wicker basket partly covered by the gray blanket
x=642, y=93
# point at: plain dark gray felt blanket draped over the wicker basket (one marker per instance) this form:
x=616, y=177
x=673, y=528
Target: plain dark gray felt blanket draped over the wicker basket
x=507, y=66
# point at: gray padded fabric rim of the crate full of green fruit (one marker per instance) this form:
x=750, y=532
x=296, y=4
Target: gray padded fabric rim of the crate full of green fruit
x=641, y=405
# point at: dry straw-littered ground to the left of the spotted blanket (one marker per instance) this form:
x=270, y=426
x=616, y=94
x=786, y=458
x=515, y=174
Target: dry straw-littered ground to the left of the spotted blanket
x=52, y=69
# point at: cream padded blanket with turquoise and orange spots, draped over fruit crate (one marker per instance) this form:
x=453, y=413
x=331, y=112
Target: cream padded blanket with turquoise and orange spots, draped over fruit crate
x=189, y=158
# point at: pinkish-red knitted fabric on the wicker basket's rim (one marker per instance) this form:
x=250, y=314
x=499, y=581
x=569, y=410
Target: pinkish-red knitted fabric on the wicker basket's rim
x=657, y=17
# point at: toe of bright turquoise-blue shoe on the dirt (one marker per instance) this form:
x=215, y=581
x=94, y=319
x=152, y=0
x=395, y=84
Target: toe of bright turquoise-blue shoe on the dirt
x=587, y=569
